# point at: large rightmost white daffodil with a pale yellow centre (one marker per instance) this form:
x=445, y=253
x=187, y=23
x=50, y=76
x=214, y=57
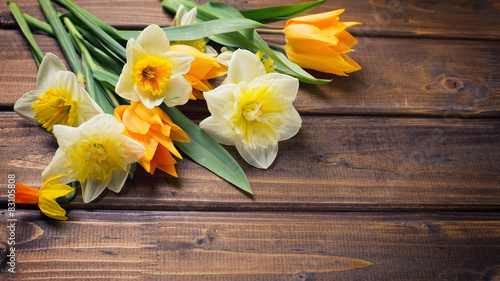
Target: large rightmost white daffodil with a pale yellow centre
x=253, y=110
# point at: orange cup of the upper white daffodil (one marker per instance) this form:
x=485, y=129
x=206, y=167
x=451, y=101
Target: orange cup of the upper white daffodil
x=152, y=74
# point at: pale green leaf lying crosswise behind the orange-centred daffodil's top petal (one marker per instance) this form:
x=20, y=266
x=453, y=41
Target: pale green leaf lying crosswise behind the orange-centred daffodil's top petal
x=200, y=30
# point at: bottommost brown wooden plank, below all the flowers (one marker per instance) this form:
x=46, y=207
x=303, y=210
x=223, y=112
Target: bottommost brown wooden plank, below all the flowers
x=249, y=246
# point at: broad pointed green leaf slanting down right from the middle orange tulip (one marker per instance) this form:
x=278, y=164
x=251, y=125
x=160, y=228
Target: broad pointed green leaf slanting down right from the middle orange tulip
x=207, y=152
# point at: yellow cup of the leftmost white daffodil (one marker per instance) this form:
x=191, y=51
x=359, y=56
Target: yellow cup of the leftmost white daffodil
x=54, y=107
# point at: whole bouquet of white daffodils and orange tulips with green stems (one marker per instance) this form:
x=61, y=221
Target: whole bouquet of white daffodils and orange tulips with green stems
x=116, y=107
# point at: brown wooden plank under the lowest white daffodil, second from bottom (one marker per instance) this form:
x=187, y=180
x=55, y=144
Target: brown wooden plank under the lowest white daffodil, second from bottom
x=334, y=163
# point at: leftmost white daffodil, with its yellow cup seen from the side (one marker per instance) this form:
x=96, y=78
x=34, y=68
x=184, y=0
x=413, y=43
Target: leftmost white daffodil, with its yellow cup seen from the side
x=58, y=99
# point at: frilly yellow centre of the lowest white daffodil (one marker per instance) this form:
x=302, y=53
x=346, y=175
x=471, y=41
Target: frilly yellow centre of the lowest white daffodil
x=94, y=158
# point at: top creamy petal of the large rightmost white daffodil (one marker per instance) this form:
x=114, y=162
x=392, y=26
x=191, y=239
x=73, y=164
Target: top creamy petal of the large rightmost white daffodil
x=244, y=66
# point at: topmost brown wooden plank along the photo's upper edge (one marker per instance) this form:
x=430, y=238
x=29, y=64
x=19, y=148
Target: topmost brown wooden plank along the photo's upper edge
x=441, y=19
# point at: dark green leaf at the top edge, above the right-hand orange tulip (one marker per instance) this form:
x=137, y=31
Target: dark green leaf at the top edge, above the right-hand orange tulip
x=276, y=13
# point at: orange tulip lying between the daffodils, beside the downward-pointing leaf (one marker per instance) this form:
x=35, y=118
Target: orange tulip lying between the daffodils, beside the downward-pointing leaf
x=156, y=132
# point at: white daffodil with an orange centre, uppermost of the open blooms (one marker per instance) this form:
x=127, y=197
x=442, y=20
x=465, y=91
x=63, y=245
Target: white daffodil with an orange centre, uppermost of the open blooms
x=153, y=74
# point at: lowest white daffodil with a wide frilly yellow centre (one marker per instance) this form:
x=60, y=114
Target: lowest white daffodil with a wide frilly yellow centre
x=96, y=154
